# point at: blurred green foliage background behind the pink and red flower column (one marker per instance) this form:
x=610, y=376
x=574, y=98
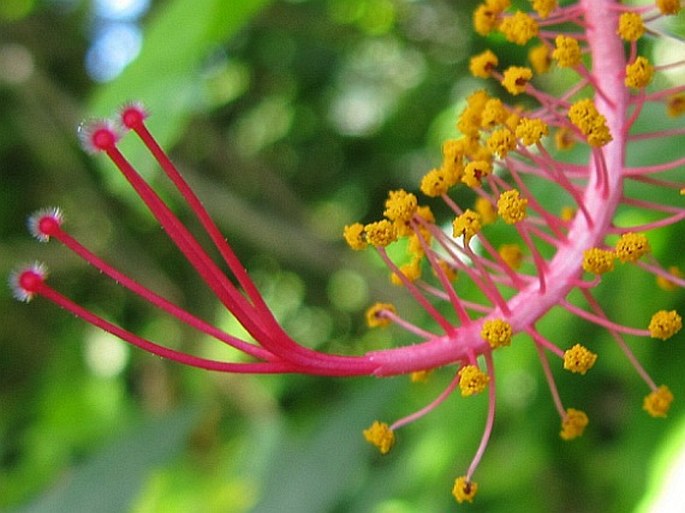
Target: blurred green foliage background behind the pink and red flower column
x=291, y=119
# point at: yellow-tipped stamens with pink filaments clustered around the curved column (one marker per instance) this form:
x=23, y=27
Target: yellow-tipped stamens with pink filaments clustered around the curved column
x=496, y=138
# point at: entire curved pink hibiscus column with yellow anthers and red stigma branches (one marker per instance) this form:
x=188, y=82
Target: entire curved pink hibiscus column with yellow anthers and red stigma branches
x=502, y=154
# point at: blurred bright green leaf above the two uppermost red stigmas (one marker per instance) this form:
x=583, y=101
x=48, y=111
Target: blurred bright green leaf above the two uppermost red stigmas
x=165, y=74
